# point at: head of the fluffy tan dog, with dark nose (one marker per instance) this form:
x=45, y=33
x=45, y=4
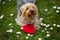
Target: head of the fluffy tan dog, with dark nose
x=28, y=11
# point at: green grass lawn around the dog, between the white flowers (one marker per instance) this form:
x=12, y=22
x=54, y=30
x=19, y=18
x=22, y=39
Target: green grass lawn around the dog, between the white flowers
x=11, y=7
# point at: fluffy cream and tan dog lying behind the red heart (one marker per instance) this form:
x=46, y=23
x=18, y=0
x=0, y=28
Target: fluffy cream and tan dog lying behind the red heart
x=28, y=13
